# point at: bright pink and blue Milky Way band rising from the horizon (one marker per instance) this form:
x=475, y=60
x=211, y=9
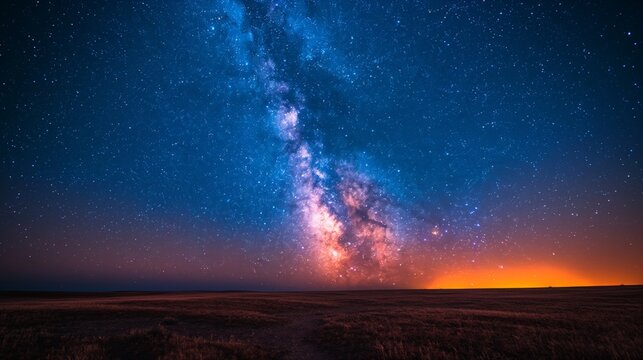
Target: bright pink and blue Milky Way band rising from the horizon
x=345, y=228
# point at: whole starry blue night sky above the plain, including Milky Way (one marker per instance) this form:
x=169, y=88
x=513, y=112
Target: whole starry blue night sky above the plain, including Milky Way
x=233, y=144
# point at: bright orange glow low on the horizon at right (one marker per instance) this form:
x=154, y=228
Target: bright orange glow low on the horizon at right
x=511, y=277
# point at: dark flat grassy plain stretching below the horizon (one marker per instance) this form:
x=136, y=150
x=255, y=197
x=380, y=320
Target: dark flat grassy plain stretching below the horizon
x=564, y=323
